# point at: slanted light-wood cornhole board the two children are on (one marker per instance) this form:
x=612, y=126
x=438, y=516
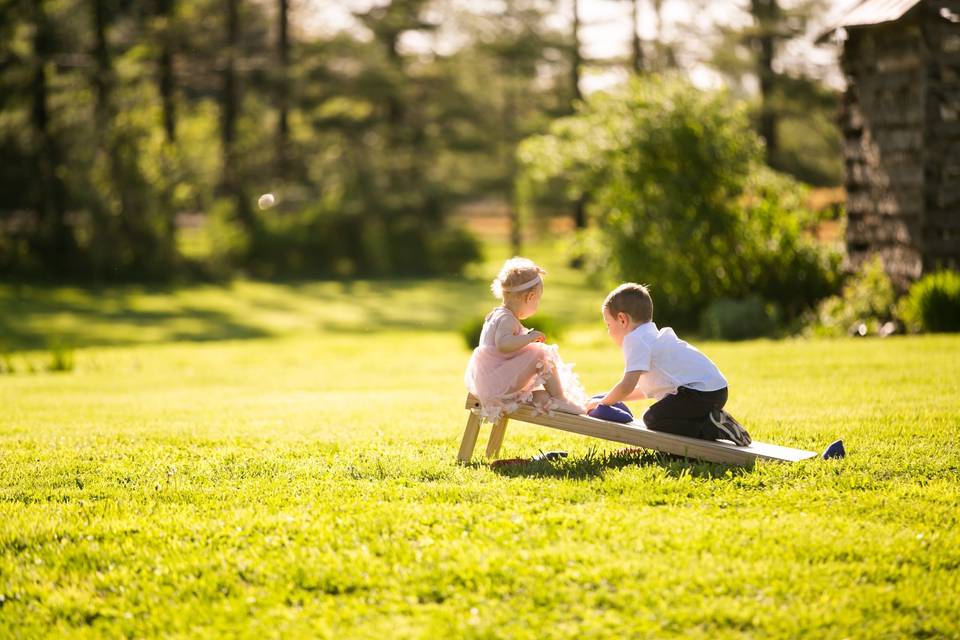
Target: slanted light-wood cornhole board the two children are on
x=634, y=433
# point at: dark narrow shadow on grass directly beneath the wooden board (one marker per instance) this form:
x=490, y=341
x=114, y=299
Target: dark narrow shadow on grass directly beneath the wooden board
x=595, y=465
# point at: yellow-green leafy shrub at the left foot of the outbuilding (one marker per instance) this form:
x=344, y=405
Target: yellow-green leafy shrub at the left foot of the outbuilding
x=864, y=306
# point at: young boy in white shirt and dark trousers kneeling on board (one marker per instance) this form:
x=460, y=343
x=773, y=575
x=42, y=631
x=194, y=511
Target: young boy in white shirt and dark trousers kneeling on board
x=689, y=389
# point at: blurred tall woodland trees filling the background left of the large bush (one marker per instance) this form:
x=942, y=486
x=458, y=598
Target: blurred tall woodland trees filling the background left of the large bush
x=123, y=123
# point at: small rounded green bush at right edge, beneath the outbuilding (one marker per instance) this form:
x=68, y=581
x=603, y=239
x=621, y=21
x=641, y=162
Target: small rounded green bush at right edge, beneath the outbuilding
x=932, y=304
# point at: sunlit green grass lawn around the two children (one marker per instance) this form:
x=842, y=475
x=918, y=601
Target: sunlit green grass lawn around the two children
x=279, y=460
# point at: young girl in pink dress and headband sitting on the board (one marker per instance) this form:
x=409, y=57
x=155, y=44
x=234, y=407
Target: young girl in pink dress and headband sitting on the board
x=512, y=365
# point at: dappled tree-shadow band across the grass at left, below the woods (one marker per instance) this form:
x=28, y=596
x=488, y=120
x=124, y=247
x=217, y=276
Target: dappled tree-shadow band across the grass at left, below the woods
x=85, y=315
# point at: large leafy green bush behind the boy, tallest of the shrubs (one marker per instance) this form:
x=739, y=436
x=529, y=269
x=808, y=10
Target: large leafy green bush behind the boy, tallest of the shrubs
x=683, y=201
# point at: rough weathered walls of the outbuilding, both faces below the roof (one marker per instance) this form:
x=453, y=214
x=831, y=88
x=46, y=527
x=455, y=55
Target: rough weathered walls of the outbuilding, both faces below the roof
x=901, y=124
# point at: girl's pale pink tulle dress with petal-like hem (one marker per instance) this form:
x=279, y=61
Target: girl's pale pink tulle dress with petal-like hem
x=502, y=381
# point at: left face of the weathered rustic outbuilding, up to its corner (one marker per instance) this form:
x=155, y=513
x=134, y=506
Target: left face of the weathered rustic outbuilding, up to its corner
x=883, y=117
